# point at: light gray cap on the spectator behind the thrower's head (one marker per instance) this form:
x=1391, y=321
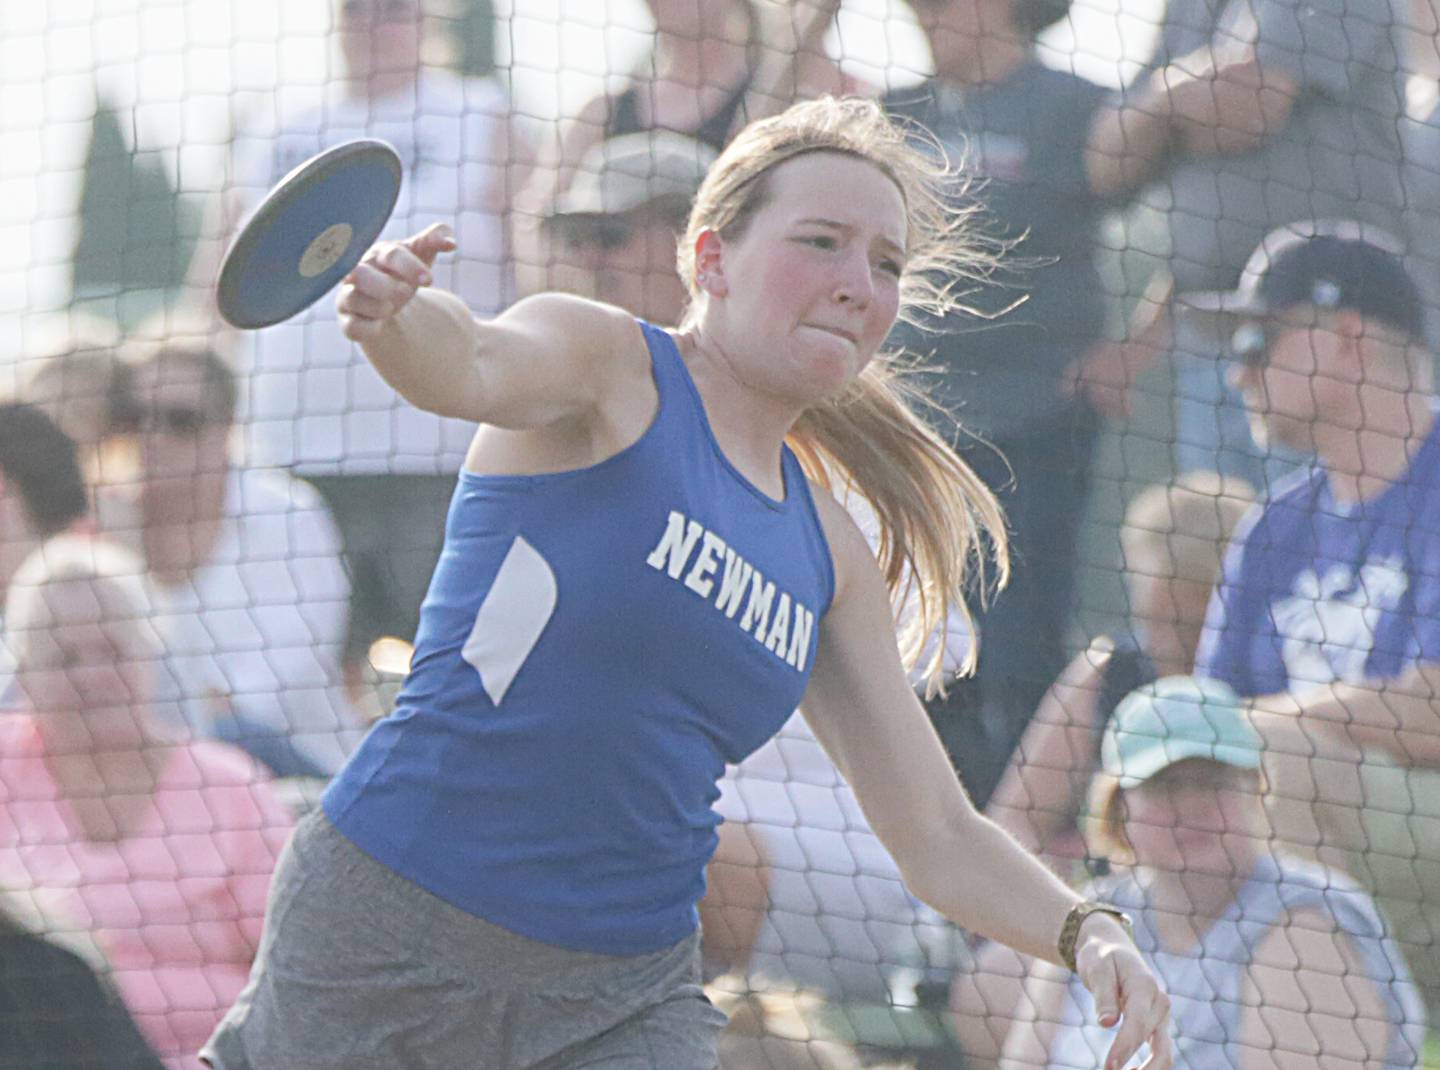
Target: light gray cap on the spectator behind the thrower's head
x=629, y=172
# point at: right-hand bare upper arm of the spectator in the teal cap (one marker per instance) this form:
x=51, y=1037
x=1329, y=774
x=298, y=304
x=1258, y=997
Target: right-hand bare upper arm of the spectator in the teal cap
x=1310, y=1002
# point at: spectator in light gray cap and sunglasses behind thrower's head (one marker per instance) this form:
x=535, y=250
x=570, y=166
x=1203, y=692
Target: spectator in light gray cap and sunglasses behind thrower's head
x=616, y=230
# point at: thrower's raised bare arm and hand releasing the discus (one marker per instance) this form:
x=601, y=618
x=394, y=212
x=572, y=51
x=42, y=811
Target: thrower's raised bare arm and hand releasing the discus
x=539, y=364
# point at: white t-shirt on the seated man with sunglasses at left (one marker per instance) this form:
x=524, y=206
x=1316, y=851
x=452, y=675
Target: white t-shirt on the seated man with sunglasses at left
x=261, y=627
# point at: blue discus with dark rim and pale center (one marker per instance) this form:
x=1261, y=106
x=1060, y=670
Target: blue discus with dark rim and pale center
x=309, y=234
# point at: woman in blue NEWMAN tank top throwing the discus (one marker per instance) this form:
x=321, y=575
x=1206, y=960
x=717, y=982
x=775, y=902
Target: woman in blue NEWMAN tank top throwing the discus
x=642, y=584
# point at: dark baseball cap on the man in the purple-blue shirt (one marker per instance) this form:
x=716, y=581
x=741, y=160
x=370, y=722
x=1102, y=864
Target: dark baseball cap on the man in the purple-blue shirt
x=1330, y=264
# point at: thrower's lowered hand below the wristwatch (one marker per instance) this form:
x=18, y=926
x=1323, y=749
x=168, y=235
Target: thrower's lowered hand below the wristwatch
x=1127, y=994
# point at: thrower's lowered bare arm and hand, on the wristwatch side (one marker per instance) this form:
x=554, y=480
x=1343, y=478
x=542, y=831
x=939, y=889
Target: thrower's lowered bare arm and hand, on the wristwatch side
x=872, y=724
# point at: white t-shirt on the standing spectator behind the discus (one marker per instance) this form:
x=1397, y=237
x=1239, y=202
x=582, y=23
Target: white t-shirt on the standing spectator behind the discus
x=313, y=403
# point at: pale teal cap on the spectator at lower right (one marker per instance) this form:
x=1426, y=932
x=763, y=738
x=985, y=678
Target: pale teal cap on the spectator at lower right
x=1171, y=721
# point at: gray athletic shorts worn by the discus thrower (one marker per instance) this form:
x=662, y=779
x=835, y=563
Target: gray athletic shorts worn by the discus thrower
x=364, y=970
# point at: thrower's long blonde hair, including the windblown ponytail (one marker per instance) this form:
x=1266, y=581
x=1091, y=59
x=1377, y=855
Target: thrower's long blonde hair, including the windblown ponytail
x=935, y=515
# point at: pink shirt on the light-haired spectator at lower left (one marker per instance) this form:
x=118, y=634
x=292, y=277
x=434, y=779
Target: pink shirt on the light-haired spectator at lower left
x=176, y=905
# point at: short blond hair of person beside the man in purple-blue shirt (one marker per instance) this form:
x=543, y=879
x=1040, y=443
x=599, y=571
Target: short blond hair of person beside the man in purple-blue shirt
x=1182, y=529
